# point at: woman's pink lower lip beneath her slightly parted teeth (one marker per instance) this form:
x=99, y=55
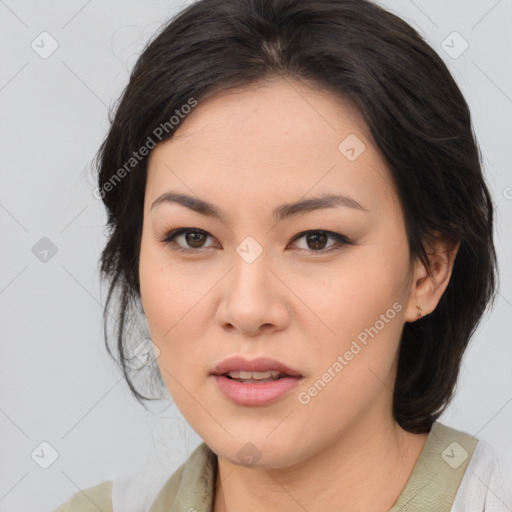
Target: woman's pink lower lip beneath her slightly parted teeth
x=257, y=393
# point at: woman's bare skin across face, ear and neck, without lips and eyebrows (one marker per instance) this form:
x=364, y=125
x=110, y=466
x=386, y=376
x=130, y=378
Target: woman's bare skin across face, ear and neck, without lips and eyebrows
x=248, y=151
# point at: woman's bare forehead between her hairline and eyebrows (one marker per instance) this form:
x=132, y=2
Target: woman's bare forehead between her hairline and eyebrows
x=277, y=137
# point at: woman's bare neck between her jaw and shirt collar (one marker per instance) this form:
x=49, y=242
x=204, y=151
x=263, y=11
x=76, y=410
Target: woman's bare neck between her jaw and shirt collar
x=364, y=469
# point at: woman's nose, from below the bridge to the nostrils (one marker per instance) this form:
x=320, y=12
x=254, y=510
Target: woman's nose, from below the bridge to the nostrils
x=254, y=299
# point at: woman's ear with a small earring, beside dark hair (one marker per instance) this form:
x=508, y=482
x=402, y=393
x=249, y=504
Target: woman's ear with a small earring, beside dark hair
x=427, y=290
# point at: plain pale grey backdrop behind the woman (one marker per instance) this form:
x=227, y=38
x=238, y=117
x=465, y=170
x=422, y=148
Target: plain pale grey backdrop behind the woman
x=67, y=419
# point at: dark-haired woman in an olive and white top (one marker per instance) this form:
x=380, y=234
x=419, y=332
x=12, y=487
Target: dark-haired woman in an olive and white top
x=296, y=202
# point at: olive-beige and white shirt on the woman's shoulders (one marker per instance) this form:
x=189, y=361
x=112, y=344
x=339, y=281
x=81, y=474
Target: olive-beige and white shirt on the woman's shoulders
x=455, y=472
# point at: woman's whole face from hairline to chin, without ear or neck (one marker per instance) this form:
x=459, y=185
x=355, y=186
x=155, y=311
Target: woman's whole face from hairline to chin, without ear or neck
x=321, y=288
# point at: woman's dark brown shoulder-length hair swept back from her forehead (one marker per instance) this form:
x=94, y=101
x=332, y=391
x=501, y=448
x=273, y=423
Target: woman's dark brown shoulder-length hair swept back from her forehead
x=417, y=118
